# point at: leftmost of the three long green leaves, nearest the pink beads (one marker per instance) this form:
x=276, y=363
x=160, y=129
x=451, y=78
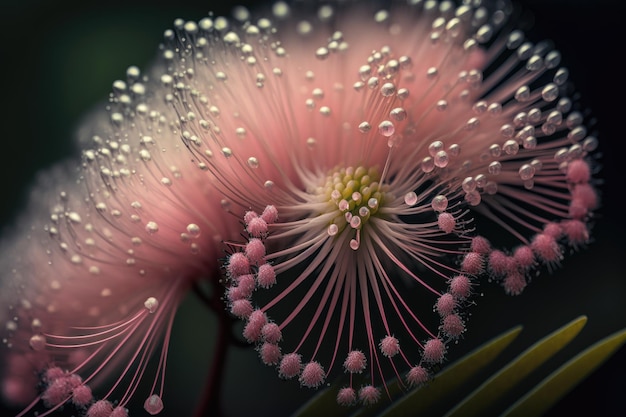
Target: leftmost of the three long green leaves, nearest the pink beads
x=452, y=378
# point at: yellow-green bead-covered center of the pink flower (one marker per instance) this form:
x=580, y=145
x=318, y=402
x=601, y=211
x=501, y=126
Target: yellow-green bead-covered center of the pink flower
x=354, y=195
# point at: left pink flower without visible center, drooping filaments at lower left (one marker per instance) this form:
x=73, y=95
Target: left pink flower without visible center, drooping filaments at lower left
x=94, y=272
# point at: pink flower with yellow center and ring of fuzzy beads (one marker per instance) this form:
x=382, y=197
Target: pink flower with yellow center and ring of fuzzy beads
x=406, y=152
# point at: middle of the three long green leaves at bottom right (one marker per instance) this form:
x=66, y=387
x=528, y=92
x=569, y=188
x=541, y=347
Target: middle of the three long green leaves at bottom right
x=479, y=402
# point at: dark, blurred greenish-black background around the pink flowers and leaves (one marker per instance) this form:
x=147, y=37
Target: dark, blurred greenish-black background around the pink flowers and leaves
x=59, y=59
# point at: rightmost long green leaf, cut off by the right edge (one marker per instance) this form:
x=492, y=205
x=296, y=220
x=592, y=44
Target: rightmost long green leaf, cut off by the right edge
x=560, y=382
